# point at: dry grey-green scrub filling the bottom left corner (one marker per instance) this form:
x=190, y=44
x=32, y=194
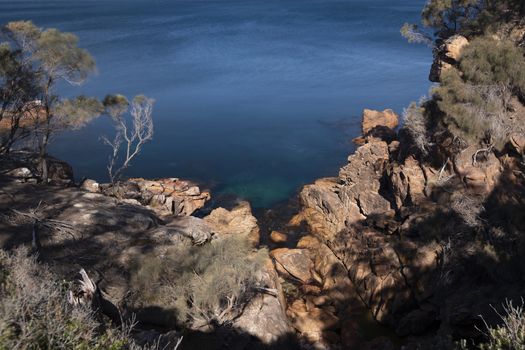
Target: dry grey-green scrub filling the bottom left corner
x=35, y=313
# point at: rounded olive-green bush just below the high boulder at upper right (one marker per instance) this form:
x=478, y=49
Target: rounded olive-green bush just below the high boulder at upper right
x=476, y=97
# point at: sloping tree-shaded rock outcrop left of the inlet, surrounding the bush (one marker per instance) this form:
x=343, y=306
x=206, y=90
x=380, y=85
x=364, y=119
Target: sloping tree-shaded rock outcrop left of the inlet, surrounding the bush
x=110, y=237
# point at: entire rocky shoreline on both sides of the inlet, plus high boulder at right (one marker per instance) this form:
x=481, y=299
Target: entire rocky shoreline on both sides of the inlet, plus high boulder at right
x=401, y=248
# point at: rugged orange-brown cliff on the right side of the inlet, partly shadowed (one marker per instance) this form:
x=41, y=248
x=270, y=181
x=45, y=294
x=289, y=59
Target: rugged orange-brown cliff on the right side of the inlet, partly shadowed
x=423, y=244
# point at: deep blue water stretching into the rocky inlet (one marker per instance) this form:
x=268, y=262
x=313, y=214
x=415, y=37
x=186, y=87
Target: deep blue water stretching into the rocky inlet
x=253, y=97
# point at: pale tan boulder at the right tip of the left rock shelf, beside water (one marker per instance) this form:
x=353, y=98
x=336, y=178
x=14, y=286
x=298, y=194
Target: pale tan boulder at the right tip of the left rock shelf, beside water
x=238, y=221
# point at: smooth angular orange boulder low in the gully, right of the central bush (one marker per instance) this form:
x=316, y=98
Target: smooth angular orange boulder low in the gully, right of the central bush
x=293, y=262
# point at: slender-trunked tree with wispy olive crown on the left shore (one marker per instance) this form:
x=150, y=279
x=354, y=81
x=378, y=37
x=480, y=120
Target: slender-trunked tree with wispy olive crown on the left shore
x=52, y=57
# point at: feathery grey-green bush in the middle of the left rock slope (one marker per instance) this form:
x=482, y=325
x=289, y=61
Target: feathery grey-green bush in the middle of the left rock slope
x=206, y=284
